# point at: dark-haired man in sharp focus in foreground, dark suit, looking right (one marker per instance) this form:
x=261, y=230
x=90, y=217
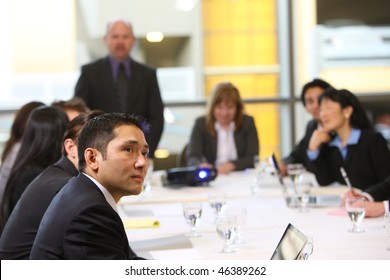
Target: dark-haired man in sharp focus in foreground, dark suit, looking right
x=82, y=221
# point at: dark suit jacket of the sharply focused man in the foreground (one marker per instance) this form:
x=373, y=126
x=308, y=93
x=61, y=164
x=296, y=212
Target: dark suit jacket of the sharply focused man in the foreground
x=80, y=224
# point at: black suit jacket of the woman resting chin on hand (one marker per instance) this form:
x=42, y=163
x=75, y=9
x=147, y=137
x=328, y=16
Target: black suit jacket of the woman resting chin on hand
x=367, y=163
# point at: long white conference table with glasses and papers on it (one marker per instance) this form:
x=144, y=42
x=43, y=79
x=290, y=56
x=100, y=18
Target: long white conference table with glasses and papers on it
x=156, y=227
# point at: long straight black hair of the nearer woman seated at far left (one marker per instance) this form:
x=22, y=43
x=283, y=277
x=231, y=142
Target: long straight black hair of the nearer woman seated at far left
x=40, y=147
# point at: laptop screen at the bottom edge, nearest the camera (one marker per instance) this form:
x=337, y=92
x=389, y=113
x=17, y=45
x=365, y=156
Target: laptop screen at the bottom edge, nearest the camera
x=290, y=245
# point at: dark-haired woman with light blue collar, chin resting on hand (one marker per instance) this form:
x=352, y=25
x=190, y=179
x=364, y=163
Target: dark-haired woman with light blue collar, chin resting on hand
x=347, y=139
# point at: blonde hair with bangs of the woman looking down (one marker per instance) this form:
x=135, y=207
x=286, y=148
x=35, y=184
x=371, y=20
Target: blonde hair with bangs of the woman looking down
x=224, y=92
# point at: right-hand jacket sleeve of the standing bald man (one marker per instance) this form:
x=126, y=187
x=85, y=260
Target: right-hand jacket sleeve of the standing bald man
x=155, y=113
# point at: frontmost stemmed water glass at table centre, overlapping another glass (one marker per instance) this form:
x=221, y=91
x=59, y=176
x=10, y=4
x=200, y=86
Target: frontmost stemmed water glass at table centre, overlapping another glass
x=227, y=229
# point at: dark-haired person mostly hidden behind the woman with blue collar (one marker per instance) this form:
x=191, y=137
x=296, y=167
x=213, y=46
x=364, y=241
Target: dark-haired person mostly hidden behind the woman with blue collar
x=309, y=96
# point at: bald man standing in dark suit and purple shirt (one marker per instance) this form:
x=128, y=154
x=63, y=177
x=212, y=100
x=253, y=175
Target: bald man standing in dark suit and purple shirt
x=117, y=83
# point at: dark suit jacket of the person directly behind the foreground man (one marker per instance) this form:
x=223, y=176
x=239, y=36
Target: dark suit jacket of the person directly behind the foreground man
x=19, y=233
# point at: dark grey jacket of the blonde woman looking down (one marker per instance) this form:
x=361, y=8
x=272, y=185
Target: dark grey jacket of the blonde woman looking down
x=203, y=146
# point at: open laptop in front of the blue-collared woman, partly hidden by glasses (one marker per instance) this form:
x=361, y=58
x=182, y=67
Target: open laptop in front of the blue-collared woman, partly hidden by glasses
x=314, y=200
